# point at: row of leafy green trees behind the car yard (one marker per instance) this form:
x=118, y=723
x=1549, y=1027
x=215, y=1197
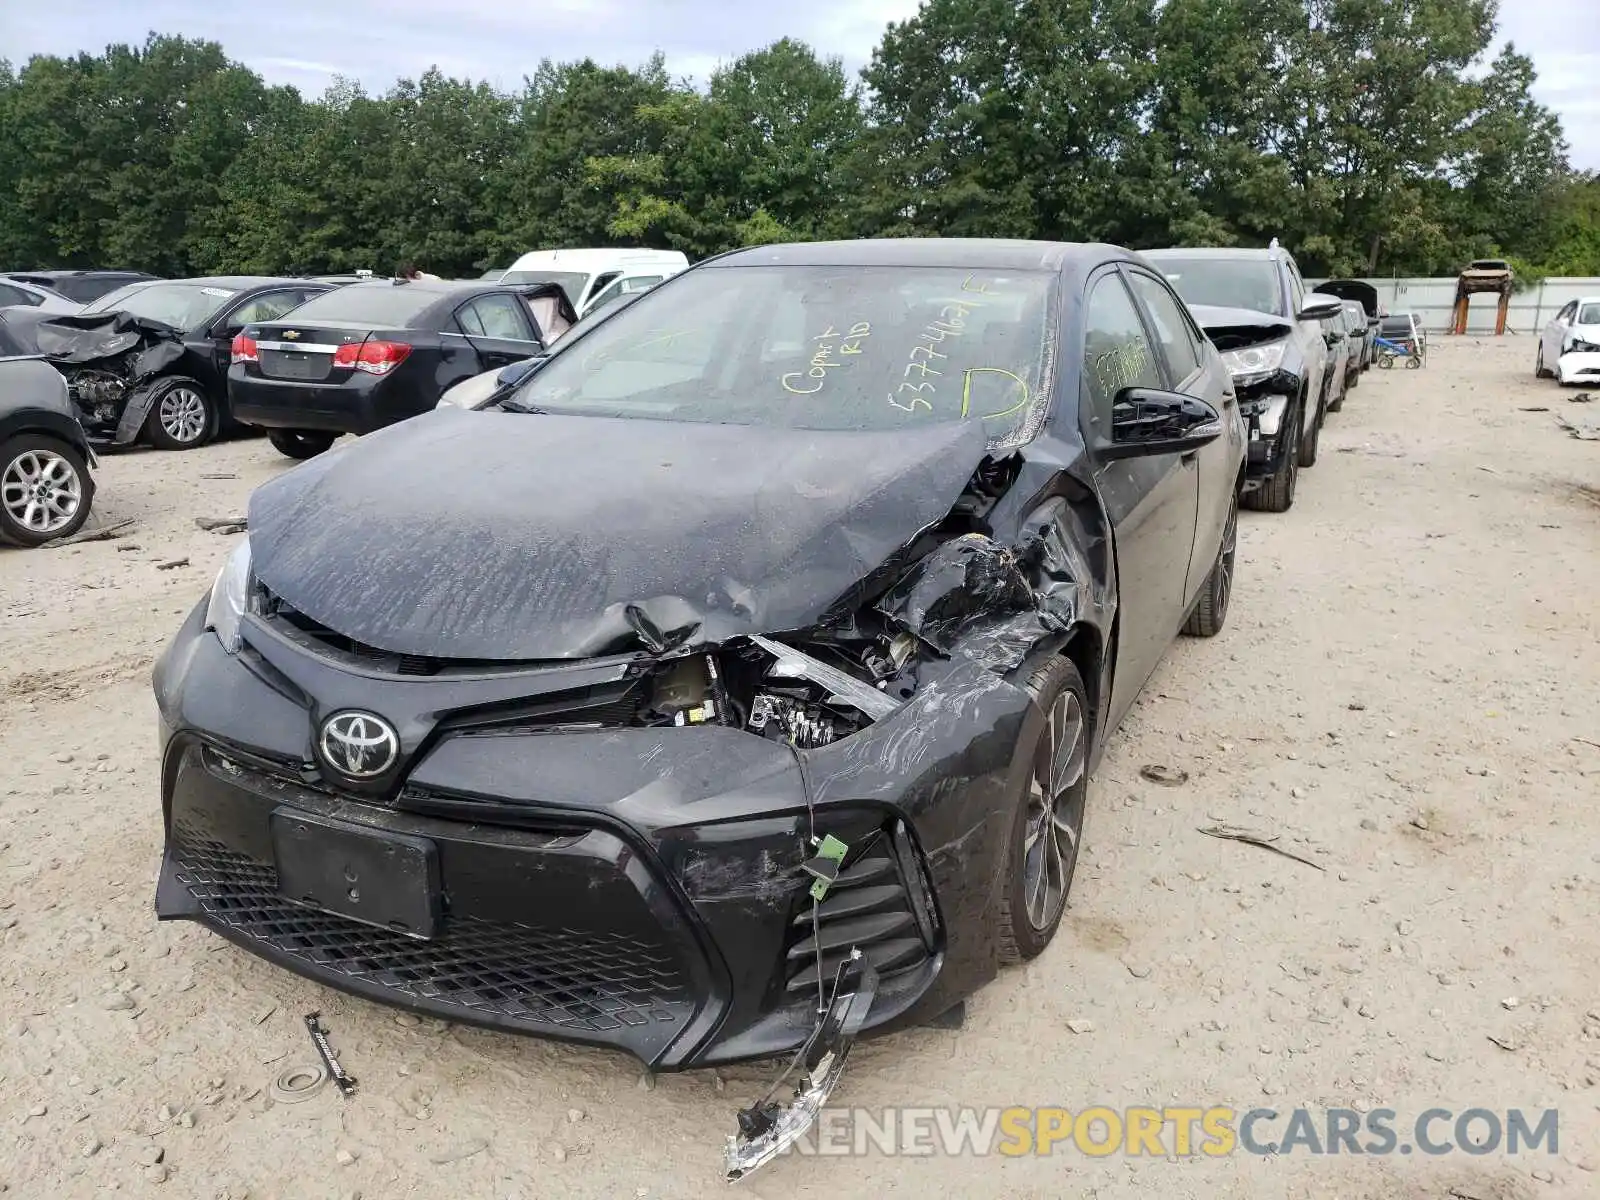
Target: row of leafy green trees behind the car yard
x=1370, y=137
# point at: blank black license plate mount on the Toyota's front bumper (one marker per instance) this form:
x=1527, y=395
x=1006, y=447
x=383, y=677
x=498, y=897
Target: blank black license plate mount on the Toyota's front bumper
x=388, y=881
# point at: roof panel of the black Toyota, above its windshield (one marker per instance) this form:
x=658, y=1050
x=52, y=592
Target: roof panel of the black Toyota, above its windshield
x=926, y=252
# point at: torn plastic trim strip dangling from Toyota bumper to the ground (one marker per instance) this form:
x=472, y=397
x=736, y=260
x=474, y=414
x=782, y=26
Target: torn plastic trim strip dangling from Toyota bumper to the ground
x=770, y=1127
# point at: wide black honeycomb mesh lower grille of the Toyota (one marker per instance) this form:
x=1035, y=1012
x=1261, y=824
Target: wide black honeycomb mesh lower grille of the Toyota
x=548, y=978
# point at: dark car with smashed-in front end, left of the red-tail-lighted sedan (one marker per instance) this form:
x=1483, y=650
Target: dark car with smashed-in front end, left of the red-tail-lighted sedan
x=150, y=361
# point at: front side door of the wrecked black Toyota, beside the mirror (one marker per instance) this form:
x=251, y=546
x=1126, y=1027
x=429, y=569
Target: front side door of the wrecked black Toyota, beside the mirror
x=1151, y=502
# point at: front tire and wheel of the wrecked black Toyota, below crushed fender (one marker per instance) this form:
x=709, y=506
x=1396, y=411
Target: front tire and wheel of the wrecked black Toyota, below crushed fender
x=1049, y=826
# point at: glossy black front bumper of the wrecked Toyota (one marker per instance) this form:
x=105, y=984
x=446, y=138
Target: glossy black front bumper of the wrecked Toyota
x=630, y=889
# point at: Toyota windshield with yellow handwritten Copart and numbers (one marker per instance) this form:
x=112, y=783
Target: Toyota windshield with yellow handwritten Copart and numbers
x=820, y=348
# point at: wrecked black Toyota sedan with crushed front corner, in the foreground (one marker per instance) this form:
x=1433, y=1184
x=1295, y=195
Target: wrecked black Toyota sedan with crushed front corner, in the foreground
x=751, y=658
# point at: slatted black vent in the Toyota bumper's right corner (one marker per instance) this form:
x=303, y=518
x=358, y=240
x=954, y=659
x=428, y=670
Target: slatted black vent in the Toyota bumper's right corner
x=879, y=905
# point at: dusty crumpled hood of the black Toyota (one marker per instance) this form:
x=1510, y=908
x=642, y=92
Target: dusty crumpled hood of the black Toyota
x=518, y=537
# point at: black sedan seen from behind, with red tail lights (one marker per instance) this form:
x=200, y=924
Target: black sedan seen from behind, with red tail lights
x=378, y=353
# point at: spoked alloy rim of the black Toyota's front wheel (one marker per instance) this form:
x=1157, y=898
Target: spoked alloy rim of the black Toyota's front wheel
x=1055, y=812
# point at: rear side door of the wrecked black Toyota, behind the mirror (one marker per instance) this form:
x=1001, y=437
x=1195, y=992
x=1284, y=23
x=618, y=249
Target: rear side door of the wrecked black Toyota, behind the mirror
x=1194, y=370
